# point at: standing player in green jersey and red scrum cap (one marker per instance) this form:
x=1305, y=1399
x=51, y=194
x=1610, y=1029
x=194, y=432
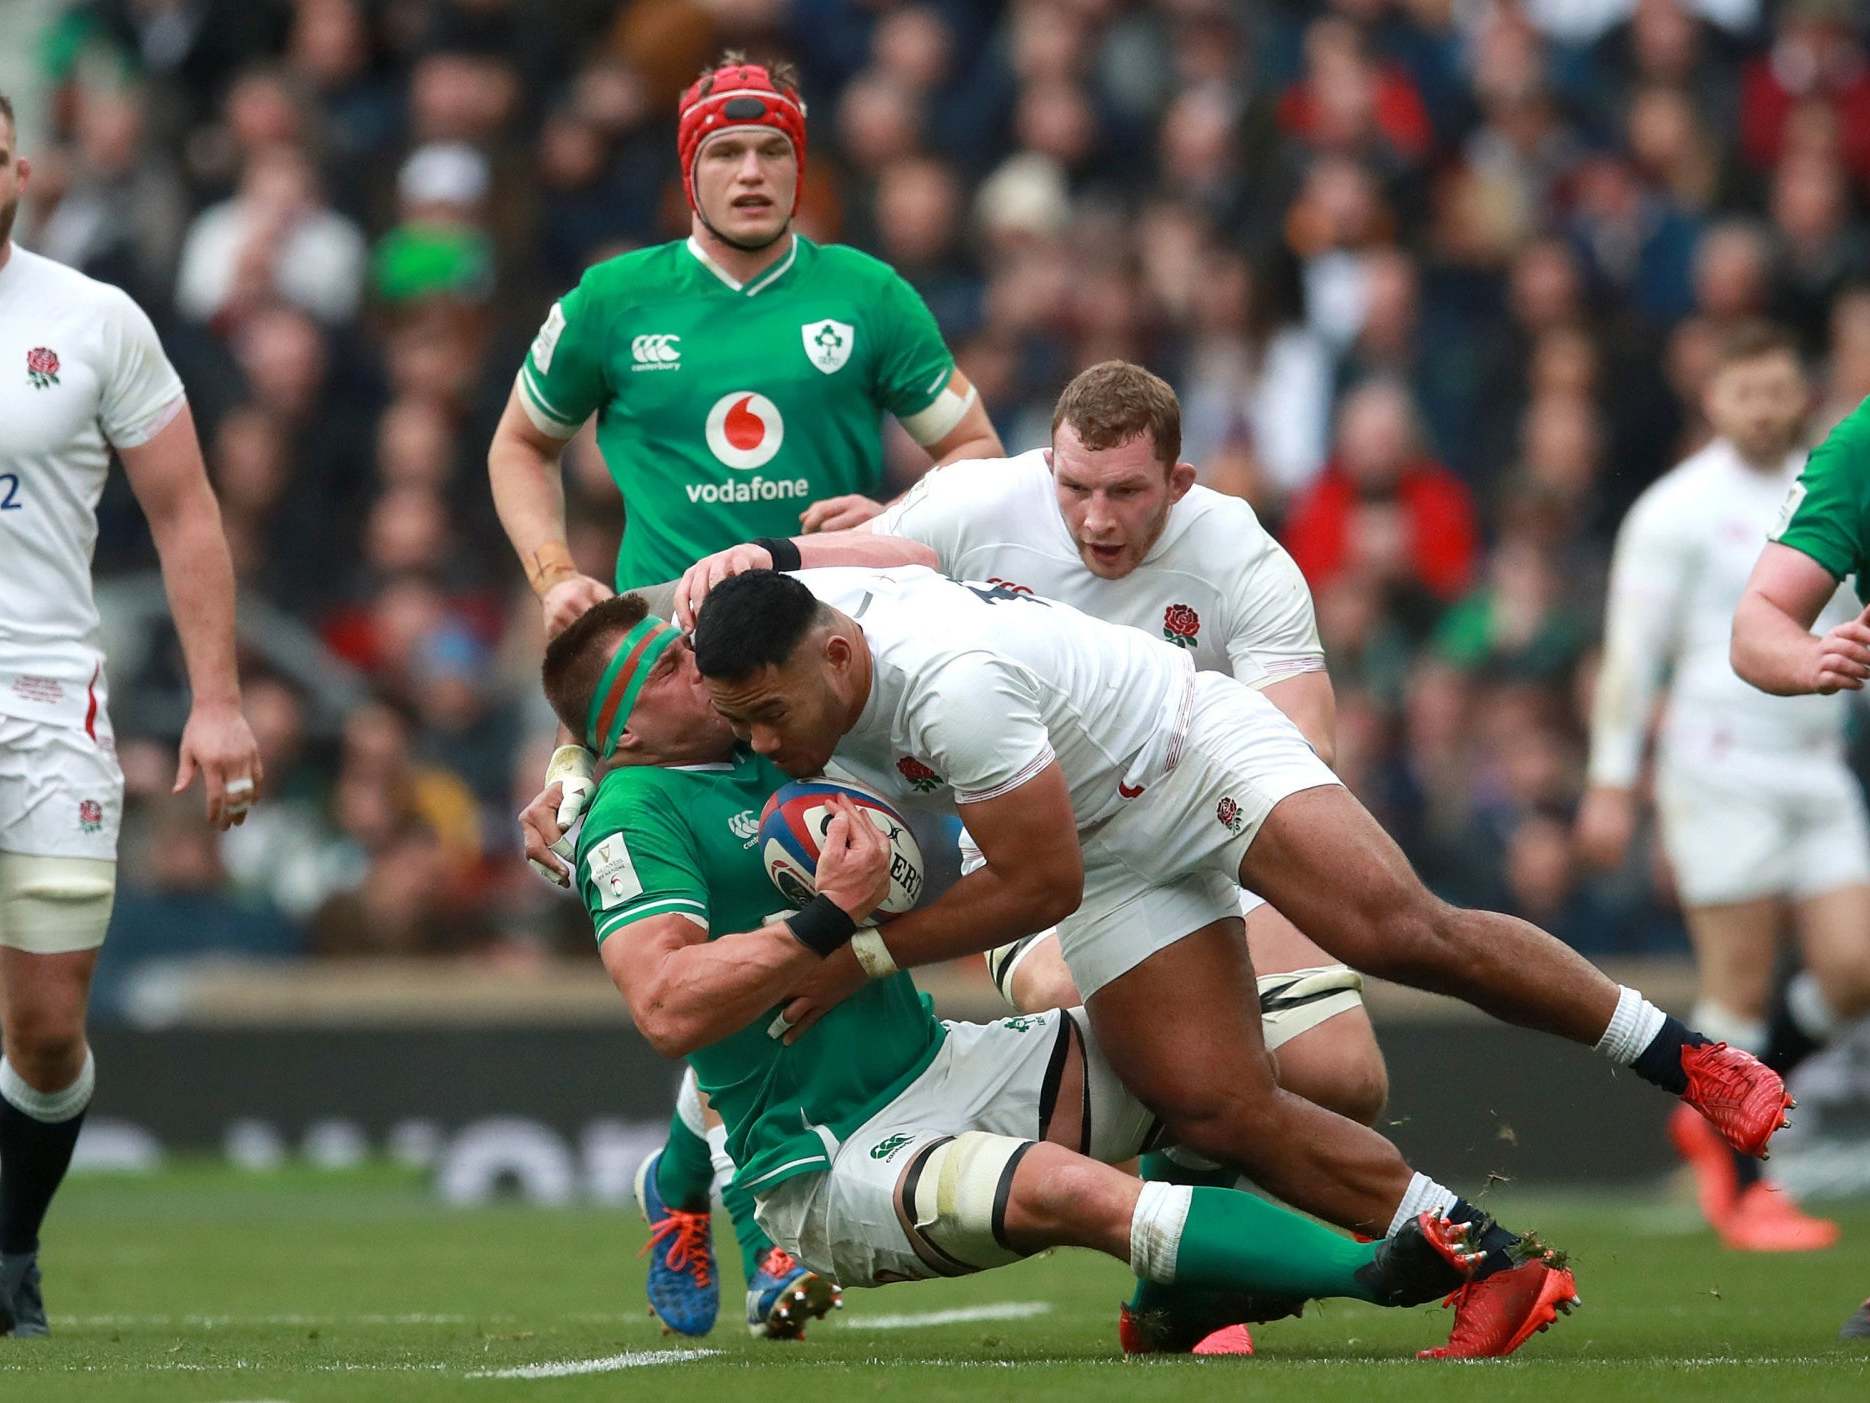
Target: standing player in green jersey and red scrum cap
x=740, y=381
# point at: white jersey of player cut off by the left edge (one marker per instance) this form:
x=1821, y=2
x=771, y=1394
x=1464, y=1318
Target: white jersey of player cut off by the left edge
x=81, y=371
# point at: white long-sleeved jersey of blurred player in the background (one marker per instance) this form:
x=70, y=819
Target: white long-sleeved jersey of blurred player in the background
x=1680, y=568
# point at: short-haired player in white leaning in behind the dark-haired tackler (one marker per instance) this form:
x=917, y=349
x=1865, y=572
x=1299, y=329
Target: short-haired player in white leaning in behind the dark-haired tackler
x=1115, y=534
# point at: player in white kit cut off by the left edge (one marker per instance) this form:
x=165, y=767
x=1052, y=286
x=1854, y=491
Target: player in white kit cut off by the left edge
x=81, y=373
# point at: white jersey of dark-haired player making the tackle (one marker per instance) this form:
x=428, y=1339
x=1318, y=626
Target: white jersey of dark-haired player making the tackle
x=979, y=687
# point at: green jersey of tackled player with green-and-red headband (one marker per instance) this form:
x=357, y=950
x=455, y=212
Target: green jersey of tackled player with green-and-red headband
x=683, y=841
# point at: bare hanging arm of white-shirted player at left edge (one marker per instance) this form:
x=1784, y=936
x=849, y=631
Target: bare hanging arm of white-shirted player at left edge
x=171, y=485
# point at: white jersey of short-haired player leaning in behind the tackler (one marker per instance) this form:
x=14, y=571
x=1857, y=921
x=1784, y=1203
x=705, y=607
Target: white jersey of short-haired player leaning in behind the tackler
x=1216, y=585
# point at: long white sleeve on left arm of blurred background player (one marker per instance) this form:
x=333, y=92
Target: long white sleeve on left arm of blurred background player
x=1652, y=573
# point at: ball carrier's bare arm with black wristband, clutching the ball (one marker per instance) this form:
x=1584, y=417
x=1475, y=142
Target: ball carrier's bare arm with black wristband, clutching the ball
x=687, y=991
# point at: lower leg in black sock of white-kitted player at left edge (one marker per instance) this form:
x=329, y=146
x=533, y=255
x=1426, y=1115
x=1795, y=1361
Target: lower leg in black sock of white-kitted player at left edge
x=46, y=1086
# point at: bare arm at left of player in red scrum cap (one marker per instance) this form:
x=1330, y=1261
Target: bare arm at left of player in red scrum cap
x=523, y=467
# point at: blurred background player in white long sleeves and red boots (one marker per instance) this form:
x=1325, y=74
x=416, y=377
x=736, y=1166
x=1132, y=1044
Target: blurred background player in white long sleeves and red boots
x=1759, y=811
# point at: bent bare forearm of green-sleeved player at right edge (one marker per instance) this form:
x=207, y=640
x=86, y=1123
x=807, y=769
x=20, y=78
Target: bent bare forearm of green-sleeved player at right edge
x=1774, y=646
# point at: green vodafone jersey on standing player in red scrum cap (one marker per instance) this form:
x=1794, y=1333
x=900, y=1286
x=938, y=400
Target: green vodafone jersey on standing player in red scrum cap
x=725, y=409
